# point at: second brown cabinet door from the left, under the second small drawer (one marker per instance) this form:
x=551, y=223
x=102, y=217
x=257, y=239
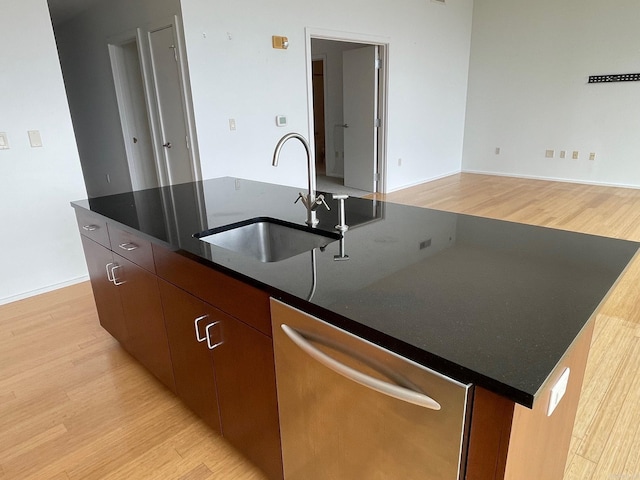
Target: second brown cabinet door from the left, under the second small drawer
x=142, y=307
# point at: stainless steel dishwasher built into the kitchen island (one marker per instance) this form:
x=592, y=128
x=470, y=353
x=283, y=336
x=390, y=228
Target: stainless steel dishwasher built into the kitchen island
x=352, y=410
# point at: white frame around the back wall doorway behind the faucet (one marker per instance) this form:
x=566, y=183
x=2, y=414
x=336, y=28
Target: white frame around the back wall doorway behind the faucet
x=383, y=89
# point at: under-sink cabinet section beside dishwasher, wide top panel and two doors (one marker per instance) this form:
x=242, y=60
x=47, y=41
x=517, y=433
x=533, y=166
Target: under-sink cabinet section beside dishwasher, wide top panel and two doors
x=223, y=356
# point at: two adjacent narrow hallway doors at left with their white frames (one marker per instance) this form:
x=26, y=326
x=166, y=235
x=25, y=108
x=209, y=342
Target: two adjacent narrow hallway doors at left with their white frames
x=155, y=115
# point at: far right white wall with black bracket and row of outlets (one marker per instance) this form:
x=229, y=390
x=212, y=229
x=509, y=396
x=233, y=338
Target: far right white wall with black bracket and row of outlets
x=528, y=91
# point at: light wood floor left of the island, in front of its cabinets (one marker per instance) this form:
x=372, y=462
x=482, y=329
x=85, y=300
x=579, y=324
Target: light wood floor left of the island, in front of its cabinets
x=74, y=405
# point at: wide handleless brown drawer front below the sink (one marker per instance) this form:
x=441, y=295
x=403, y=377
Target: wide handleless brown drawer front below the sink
x=232, y=296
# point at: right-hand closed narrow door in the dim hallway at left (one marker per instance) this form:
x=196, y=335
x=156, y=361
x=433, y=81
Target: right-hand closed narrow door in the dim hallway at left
x=173, y=126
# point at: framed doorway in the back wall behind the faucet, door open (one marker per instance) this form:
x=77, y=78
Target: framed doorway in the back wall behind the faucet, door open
x=350, y=93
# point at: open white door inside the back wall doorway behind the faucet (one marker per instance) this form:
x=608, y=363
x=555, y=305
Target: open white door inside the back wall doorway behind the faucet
x=360, y=106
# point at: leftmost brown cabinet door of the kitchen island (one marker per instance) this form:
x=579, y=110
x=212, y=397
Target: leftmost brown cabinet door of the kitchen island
x=106, y=294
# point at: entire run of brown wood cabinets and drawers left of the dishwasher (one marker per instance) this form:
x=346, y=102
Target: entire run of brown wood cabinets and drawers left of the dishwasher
x=205, y=335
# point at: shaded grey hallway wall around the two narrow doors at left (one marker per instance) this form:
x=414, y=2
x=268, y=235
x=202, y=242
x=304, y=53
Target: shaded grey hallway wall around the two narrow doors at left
x=83, y=44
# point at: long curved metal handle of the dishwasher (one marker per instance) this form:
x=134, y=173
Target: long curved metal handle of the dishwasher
x=386, y=388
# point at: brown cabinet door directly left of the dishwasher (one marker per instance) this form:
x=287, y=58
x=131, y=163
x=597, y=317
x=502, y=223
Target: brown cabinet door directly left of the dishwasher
x=245, y=376
